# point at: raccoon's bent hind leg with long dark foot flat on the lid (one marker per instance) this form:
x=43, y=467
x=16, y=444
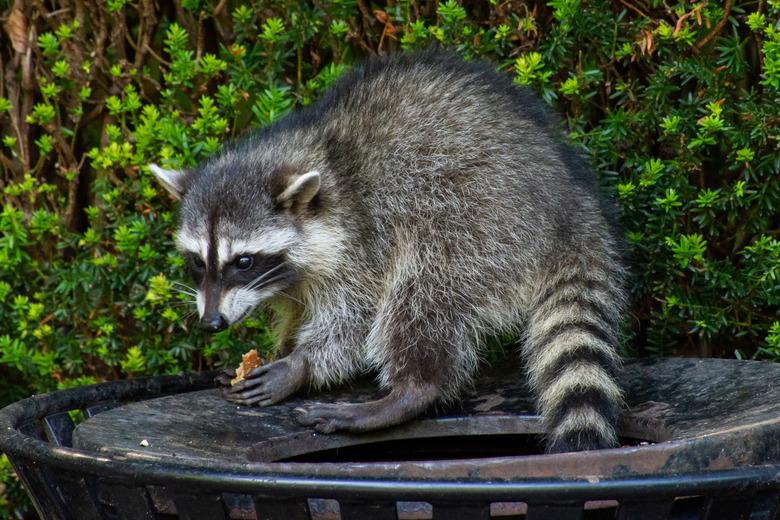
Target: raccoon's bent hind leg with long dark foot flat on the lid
x=422, y=354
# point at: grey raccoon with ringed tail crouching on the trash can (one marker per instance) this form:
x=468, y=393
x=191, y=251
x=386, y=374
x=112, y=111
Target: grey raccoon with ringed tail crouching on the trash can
x=422, y=205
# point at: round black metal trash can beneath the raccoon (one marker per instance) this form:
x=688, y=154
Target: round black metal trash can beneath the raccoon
x=701, y=440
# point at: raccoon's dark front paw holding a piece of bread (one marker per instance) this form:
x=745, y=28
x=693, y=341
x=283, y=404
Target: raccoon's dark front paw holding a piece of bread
x=269, y=384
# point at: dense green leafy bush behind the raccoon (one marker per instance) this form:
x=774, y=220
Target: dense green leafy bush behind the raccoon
x=675, y=103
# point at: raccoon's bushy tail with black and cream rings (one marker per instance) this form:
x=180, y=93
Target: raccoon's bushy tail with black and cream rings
x=571, y=354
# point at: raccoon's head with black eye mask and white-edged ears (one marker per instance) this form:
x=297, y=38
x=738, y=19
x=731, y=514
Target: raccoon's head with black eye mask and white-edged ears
x=241, y=234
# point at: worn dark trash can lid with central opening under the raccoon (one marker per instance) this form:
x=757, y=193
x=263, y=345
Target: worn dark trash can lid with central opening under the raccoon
x=684, y=415
